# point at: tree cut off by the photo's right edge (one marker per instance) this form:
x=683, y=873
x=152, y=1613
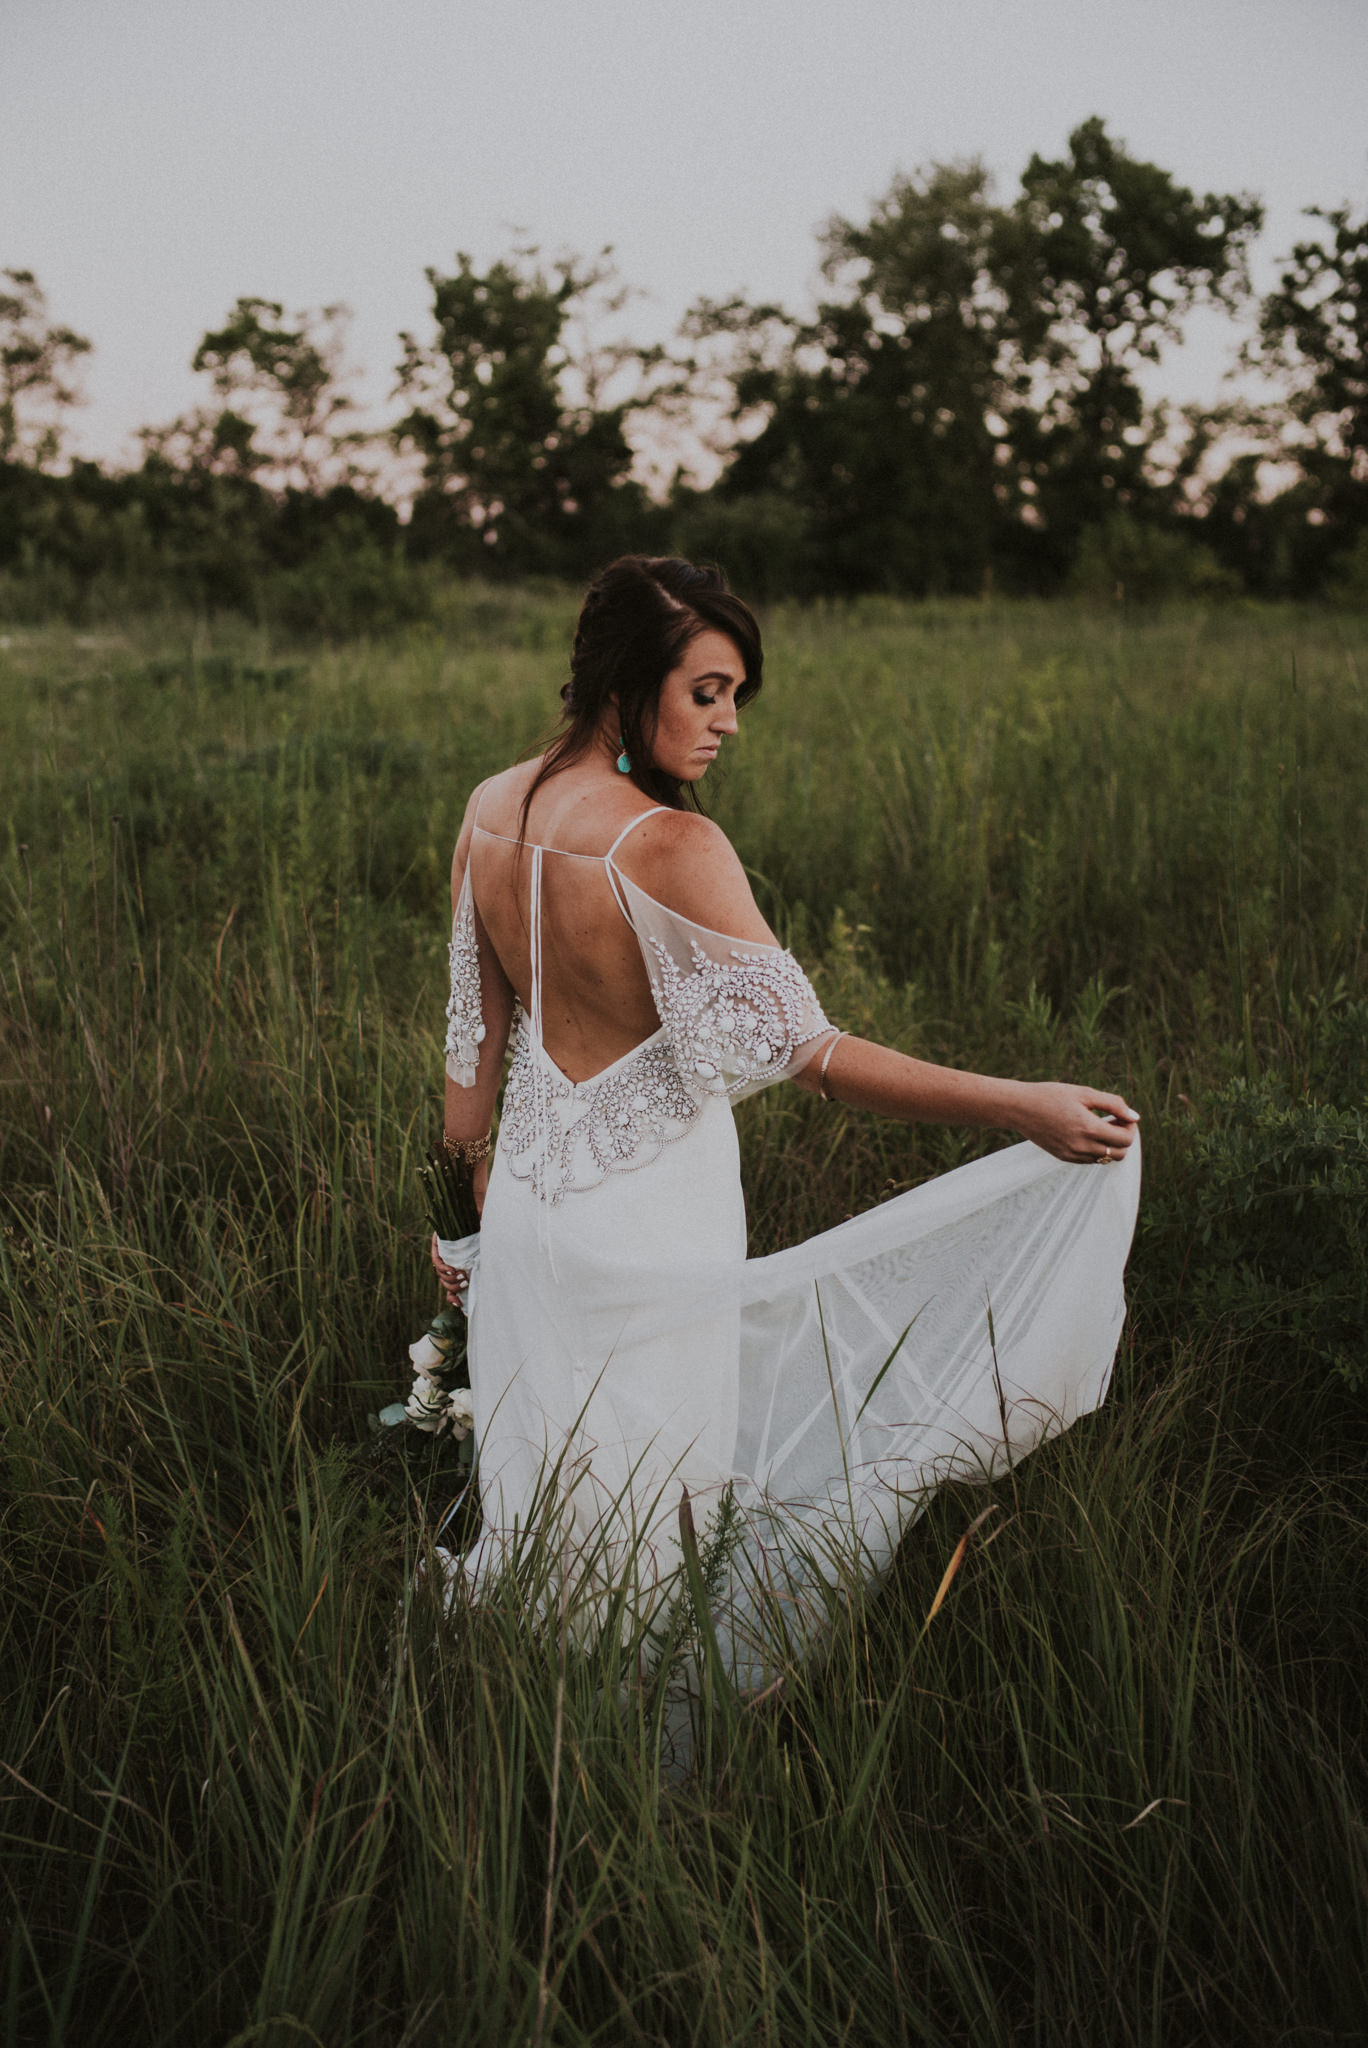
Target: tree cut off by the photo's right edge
x=1314, y=331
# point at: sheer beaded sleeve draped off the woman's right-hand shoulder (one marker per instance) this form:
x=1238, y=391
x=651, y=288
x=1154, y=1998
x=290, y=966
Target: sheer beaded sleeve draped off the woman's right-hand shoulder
x=736, y=1015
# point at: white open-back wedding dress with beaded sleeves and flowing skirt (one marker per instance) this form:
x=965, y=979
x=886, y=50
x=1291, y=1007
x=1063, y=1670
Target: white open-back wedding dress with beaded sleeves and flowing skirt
x=626, y=1349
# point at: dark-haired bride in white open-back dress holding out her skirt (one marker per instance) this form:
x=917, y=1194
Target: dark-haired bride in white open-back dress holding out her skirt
x=624, y=1349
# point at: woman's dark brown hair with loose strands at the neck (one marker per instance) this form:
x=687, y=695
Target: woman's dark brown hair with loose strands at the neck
x=636, y=622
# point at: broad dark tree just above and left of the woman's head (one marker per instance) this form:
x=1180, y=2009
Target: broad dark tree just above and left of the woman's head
x=525, y=460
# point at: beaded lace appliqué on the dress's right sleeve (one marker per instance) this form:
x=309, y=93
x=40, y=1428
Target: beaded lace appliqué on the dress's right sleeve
x=736, y=1023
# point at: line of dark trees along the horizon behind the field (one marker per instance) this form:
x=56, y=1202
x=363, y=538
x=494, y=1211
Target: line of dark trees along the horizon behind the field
x=961, y=411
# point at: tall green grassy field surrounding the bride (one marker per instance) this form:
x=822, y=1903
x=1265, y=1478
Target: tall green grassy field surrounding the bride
x=253, y=1787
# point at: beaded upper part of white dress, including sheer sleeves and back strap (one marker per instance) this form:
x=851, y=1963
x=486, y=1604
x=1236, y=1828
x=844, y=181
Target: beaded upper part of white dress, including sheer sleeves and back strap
x=734, y=1017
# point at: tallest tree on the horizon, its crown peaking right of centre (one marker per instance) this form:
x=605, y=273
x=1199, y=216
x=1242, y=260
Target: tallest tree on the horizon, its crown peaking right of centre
x=1101, y=259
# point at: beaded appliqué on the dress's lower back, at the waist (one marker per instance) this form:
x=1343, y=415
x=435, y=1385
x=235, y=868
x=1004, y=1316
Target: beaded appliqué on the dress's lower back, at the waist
x=568, y=1140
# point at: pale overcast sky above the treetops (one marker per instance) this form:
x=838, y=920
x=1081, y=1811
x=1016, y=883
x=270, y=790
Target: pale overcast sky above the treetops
x=163, y=157
